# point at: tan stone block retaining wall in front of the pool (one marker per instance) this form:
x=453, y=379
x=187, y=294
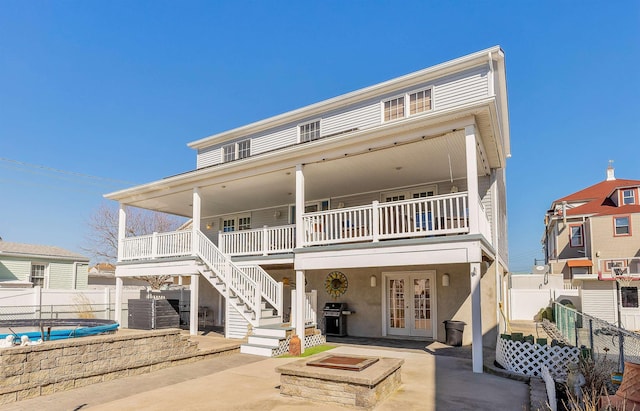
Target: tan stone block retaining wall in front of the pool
x=54, y=366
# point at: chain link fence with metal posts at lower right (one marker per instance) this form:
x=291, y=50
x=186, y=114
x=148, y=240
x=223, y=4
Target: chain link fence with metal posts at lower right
x=602, y=339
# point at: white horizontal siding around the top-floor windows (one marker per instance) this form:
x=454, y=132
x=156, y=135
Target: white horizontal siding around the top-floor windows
x=450, y=91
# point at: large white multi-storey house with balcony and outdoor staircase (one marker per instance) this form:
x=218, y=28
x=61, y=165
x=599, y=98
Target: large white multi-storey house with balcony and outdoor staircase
x=390, y=199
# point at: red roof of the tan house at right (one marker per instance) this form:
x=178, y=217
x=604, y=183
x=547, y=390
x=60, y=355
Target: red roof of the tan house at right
x=598, y=201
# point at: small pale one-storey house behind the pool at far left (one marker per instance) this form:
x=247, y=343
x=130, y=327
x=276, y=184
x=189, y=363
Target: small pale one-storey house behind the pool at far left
x=41, y=265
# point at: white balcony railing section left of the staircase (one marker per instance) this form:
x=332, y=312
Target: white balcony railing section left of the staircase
x=172, y=244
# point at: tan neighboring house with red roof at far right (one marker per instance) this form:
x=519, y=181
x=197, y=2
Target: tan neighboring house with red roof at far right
x=589, y=239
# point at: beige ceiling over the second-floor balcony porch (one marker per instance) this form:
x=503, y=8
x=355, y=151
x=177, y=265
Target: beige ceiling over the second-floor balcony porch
x=430, y=160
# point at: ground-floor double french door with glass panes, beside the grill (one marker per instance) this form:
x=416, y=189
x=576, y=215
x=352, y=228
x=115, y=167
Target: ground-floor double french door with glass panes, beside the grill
x=410, y=303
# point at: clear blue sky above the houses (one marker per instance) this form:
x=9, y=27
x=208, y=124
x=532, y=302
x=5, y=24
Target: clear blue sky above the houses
x=97, y=96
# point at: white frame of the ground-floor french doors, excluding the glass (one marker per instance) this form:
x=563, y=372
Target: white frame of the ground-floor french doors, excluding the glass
x=409, y=276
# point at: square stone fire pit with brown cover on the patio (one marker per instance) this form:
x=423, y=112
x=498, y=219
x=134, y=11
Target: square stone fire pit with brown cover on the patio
x=343, y=379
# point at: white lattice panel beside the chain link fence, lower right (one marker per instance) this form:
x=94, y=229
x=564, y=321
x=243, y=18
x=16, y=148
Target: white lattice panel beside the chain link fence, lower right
x=528, y=359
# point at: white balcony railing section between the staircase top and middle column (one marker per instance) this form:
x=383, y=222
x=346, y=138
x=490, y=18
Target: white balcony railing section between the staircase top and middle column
x=264, y=241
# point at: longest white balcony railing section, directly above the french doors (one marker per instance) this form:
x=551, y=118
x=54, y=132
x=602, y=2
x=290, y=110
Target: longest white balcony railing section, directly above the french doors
x=437, y=215
